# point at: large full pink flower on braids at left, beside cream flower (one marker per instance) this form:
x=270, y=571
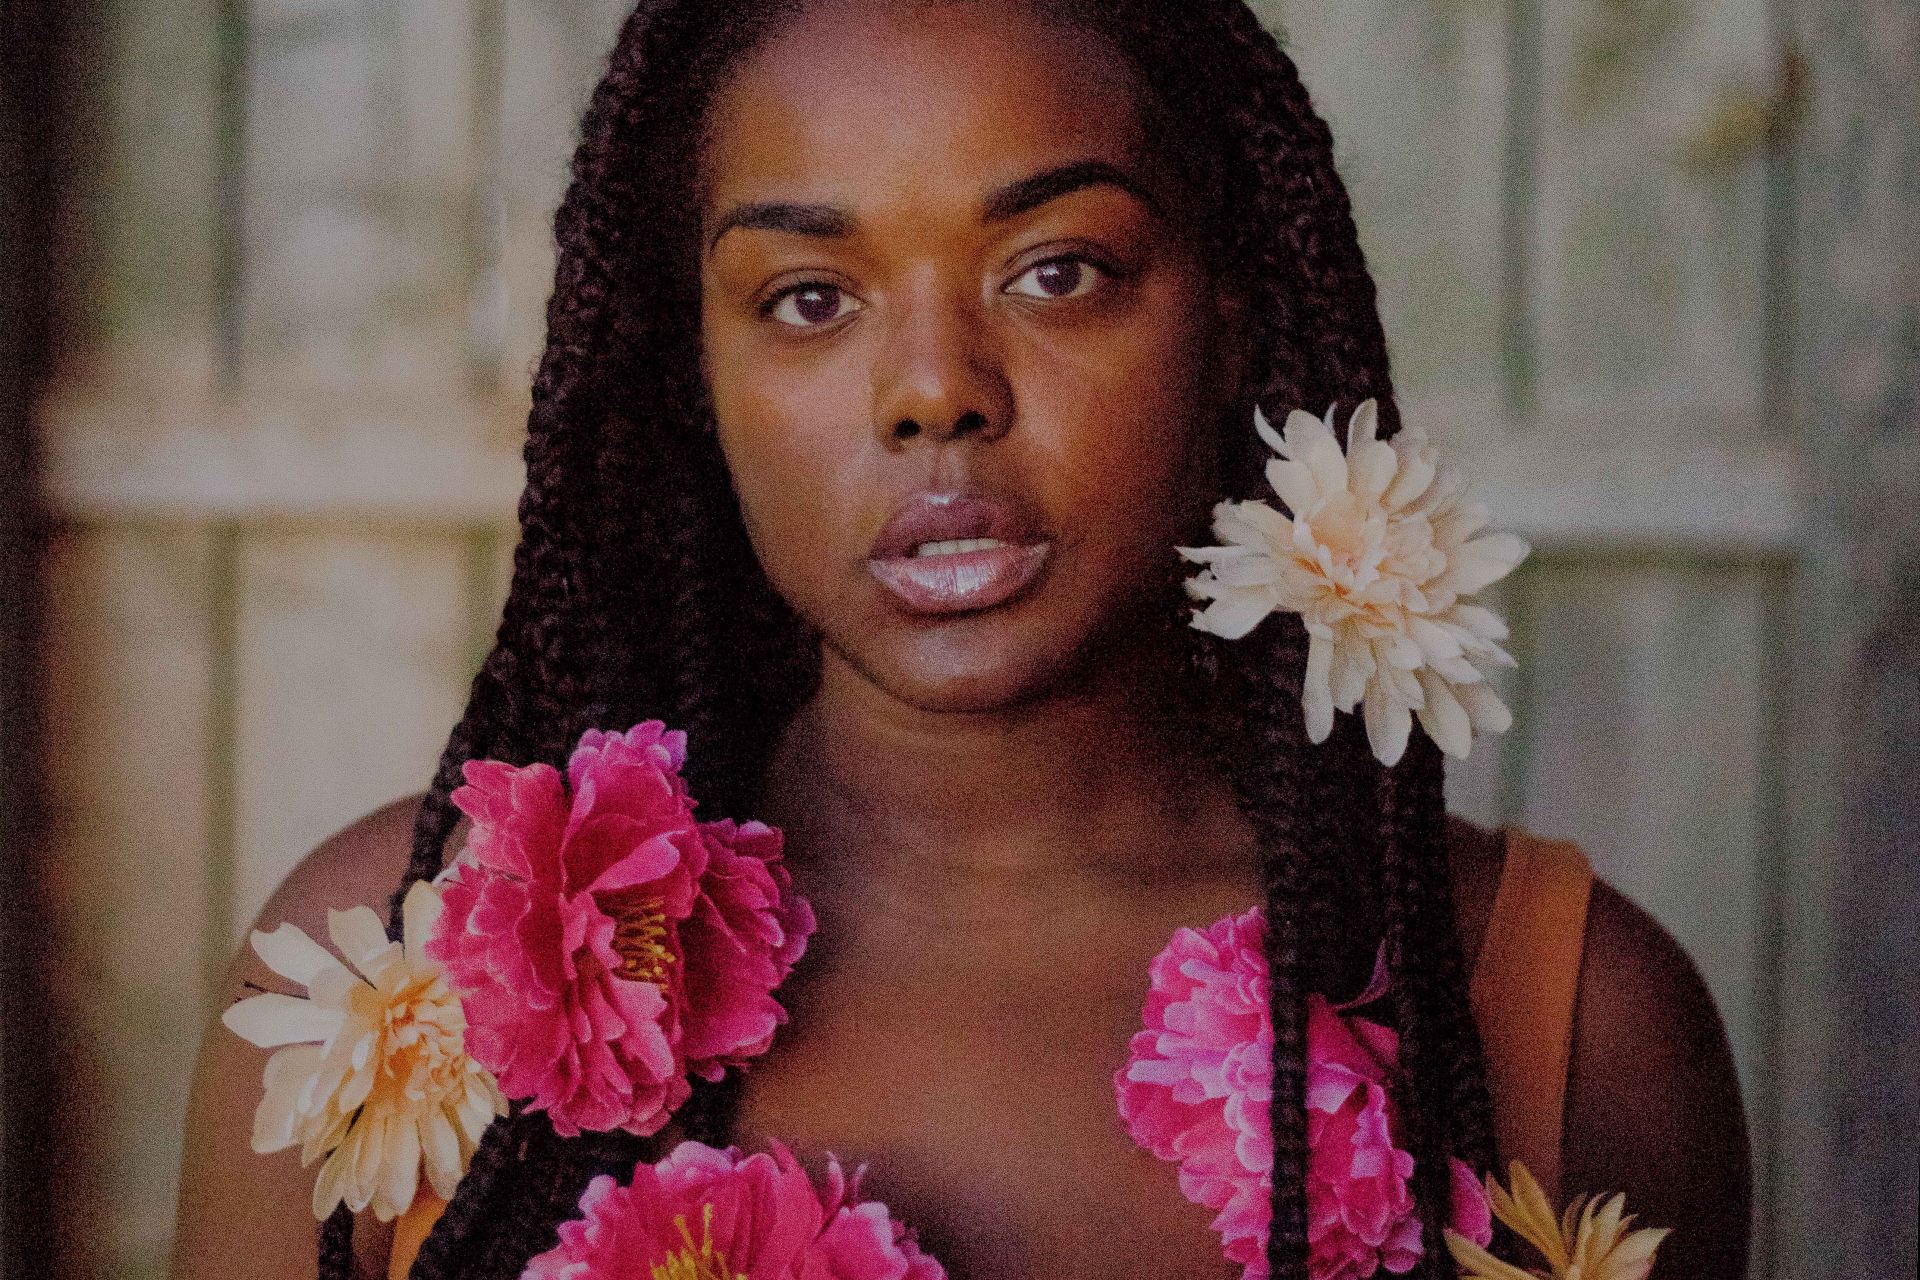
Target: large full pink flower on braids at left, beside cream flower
x=604, y=941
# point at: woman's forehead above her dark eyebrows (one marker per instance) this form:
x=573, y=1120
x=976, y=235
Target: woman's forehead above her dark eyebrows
x=861, y=99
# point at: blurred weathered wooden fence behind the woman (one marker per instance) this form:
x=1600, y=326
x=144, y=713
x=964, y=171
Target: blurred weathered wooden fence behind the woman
x=1646, y=264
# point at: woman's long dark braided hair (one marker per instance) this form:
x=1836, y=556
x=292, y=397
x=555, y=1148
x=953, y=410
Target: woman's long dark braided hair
x=638, y=596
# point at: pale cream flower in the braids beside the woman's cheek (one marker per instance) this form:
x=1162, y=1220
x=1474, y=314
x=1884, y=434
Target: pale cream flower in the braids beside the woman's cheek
x=1376, y=557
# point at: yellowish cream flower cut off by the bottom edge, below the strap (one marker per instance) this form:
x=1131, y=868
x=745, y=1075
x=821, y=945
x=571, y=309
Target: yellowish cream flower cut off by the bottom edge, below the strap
x=1591, y=1241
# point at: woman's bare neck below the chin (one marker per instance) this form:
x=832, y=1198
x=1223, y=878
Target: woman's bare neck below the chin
x=1080, y=782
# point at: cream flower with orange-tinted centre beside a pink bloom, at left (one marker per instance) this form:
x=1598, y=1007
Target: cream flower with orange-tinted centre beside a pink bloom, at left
x=372, y=1070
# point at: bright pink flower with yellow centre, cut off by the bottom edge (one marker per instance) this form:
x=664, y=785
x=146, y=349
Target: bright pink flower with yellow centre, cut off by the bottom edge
x=706, y=1214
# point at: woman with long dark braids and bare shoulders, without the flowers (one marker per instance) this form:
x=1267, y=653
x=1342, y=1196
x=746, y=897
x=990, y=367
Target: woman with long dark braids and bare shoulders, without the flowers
x=842, y=285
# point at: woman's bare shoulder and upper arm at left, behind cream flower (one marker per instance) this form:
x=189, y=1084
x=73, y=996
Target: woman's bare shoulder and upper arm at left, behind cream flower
x=245, y=1214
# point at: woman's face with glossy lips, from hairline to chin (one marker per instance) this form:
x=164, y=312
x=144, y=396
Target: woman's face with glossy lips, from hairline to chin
x=963, y=352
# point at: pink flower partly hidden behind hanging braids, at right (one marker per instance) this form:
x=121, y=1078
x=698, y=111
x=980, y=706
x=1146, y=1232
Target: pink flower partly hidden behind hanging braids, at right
x=1199, y=1089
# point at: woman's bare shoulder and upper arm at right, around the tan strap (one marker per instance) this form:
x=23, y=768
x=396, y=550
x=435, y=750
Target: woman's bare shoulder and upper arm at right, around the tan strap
x=1654, y=1102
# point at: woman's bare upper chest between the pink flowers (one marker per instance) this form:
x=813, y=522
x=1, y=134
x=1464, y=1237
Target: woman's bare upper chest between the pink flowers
x=976, y=1078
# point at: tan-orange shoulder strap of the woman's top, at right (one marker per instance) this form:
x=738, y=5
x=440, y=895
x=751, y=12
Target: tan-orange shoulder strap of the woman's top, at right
x=1524, y=991
